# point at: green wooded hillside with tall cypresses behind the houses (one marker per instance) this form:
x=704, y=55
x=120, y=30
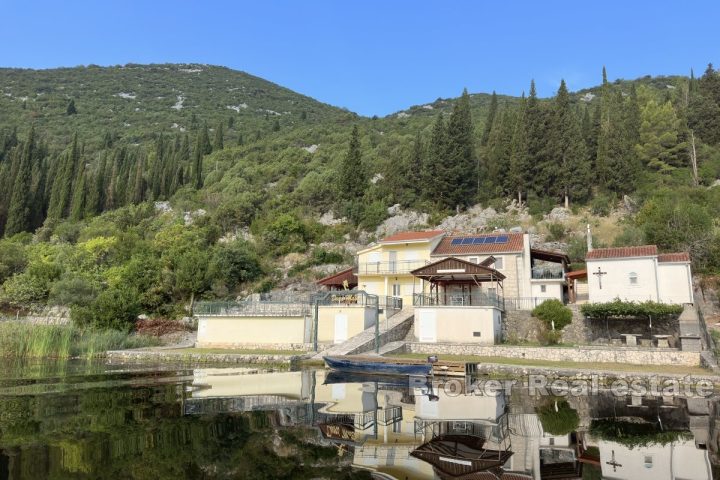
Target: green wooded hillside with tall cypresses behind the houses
x=138, y=189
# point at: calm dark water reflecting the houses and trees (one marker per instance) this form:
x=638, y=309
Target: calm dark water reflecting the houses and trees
x=81, y=420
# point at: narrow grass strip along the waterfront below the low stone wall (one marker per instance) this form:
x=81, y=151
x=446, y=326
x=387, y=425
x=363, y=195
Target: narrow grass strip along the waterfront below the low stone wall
x=595, y=366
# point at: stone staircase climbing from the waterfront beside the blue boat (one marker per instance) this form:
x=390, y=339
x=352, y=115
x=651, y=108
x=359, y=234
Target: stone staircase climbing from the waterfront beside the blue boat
x=392, y=330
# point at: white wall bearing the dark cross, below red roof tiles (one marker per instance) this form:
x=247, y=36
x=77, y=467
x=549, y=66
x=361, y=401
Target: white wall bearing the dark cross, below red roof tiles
x=616, y=281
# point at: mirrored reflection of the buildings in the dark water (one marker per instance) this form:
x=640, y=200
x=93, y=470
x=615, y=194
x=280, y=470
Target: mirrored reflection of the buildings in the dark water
x=410, y=429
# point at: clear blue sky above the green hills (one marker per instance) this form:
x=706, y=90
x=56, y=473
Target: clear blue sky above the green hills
x=373, y=56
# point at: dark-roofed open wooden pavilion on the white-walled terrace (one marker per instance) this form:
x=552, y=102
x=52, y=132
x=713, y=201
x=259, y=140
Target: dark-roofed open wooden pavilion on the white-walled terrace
x=460, y=277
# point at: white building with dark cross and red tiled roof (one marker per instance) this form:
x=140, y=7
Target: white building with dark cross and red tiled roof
x=639, y=274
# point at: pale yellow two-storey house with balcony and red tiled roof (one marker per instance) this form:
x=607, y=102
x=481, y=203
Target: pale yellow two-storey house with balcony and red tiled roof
x=384, y=269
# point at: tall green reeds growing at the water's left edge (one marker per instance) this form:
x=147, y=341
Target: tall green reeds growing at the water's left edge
x=24, y=341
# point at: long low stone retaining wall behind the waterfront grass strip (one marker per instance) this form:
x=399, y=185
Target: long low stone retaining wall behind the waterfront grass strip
x=637, y=355
